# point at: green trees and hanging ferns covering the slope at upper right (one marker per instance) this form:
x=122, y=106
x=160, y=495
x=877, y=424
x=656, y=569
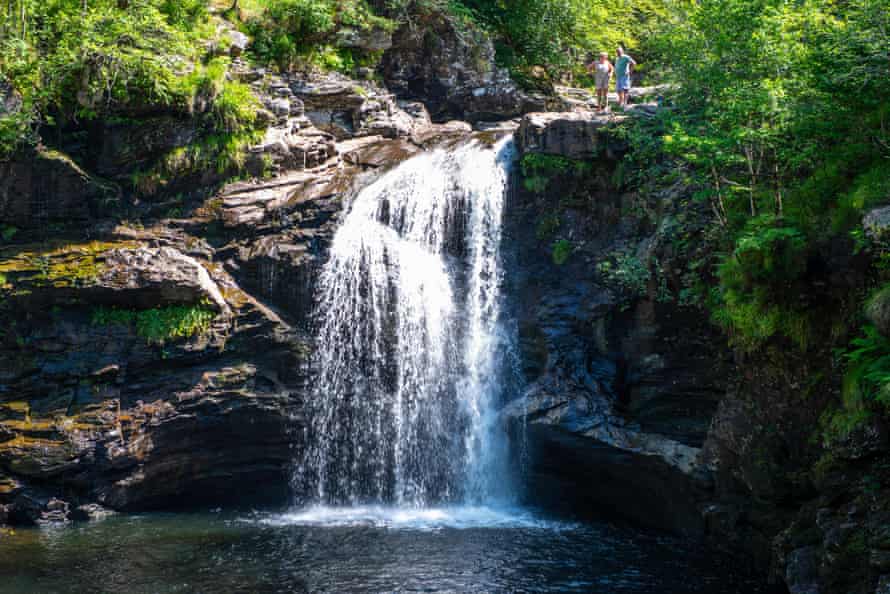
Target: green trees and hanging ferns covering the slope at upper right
x=777, y=140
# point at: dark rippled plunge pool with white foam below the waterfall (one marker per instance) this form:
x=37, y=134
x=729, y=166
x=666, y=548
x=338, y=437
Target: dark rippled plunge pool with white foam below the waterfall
x=363, y=550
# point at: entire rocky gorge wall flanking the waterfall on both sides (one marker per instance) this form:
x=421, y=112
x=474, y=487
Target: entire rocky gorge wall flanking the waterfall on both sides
x=155, y=344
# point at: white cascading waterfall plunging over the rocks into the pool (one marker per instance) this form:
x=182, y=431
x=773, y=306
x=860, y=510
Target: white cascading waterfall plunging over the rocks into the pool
x=410, y=350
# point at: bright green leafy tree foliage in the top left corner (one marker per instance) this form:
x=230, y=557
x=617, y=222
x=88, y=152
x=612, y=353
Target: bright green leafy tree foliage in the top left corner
x=91, y=57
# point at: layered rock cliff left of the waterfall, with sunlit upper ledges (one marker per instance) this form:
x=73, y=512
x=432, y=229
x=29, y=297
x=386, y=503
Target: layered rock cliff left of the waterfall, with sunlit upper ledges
x=157, y=335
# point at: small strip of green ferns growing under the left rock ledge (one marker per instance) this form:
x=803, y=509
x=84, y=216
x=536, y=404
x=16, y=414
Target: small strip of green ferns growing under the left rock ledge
x=160, y=324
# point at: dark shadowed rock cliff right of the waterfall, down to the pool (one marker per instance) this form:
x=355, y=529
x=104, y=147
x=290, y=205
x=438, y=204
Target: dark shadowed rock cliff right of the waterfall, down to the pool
x=637, y=405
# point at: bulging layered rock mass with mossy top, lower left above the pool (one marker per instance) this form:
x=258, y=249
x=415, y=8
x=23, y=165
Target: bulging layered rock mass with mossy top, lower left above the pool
x=93, y=413
